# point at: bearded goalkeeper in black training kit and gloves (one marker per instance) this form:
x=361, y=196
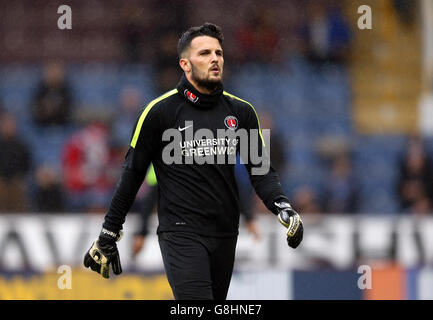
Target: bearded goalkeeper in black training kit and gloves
x=198, y=204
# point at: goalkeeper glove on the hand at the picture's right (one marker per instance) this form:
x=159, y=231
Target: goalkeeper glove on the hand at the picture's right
x=290, y=219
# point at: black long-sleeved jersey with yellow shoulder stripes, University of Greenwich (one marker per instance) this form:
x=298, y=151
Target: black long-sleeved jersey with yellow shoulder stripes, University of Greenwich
x=195, y=197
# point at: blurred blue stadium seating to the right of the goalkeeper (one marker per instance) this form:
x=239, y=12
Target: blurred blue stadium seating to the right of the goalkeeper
x=308, y=105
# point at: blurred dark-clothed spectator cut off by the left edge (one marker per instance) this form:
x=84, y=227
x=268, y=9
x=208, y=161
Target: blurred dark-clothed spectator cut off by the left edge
x=15, y=164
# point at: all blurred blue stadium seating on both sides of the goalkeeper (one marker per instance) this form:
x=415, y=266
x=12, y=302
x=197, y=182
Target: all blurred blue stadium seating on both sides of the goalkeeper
x=307, y=105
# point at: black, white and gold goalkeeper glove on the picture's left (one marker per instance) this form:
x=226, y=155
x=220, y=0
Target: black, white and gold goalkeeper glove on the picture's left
x=104, y=253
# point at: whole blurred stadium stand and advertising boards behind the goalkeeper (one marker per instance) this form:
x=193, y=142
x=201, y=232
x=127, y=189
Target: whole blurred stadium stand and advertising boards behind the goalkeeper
x=348, y=108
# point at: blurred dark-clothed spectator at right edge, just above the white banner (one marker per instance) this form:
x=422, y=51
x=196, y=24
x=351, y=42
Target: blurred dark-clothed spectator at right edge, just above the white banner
x=415, y=187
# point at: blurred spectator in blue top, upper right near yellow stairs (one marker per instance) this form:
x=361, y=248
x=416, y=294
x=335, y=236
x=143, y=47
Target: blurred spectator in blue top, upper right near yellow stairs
x=326, y=34
